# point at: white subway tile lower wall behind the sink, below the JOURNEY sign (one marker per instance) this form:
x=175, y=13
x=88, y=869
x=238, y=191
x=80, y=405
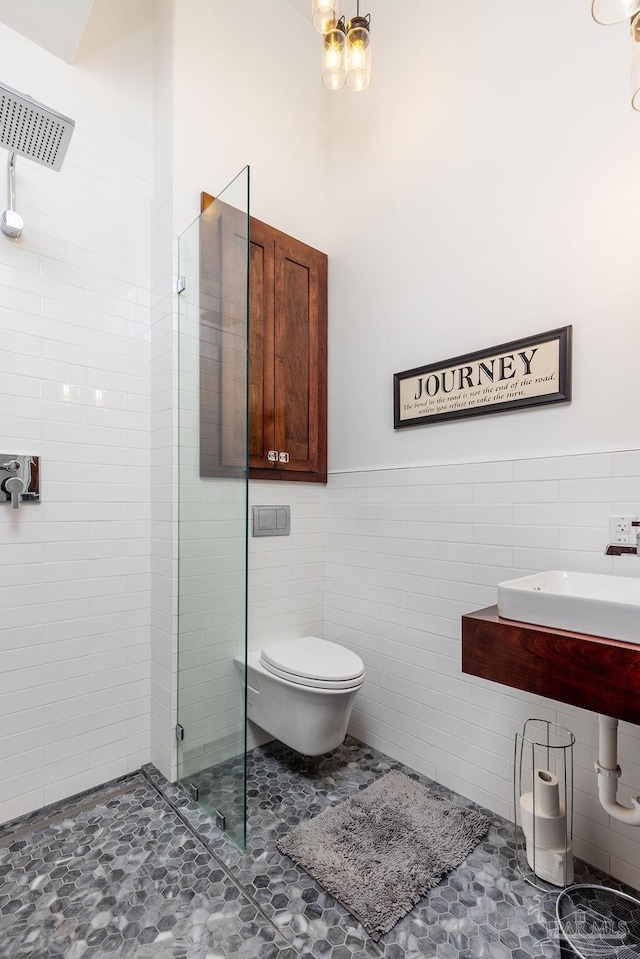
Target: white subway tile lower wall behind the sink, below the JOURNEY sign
x=408, y=552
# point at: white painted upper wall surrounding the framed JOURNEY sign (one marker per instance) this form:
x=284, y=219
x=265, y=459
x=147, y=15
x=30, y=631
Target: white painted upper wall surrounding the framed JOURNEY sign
x=492, y=192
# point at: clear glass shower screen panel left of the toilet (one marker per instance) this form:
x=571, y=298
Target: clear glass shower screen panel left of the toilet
x=212, y=507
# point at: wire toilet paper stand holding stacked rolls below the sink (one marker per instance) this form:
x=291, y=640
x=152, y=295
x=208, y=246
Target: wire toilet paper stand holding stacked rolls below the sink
x=543, y=804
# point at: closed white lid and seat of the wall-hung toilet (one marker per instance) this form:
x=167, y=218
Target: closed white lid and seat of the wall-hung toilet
x=311, y=661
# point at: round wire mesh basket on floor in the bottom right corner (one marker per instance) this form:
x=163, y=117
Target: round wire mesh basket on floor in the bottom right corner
x=598, y=922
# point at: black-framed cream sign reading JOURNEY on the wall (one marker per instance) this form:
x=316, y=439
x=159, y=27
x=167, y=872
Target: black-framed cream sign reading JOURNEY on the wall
x=533, y=371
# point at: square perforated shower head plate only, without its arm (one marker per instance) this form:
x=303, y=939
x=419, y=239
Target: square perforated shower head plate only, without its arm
x=33, y=130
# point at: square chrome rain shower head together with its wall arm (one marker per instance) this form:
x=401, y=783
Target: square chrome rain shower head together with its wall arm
x=31, y=130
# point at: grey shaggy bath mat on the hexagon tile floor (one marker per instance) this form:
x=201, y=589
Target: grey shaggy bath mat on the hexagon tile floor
x=379, y=852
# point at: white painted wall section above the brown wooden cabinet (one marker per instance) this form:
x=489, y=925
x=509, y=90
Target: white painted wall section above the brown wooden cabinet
x=255, y=103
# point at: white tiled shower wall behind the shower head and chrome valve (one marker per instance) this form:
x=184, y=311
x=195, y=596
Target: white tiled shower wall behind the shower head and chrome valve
x=74, y=388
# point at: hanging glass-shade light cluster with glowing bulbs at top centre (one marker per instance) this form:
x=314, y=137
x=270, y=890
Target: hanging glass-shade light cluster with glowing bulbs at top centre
x=346, y=47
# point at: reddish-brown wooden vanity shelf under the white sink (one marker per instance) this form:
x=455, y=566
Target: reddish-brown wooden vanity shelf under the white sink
x=602, y=675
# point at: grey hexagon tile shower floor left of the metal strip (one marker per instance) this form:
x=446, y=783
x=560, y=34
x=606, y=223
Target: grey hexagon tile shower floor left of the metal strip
x=122, y=878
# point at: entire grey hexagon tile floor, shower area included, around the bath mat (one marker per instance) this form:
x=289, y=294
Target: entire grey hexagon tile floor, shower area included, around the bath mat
x=137, y=870
